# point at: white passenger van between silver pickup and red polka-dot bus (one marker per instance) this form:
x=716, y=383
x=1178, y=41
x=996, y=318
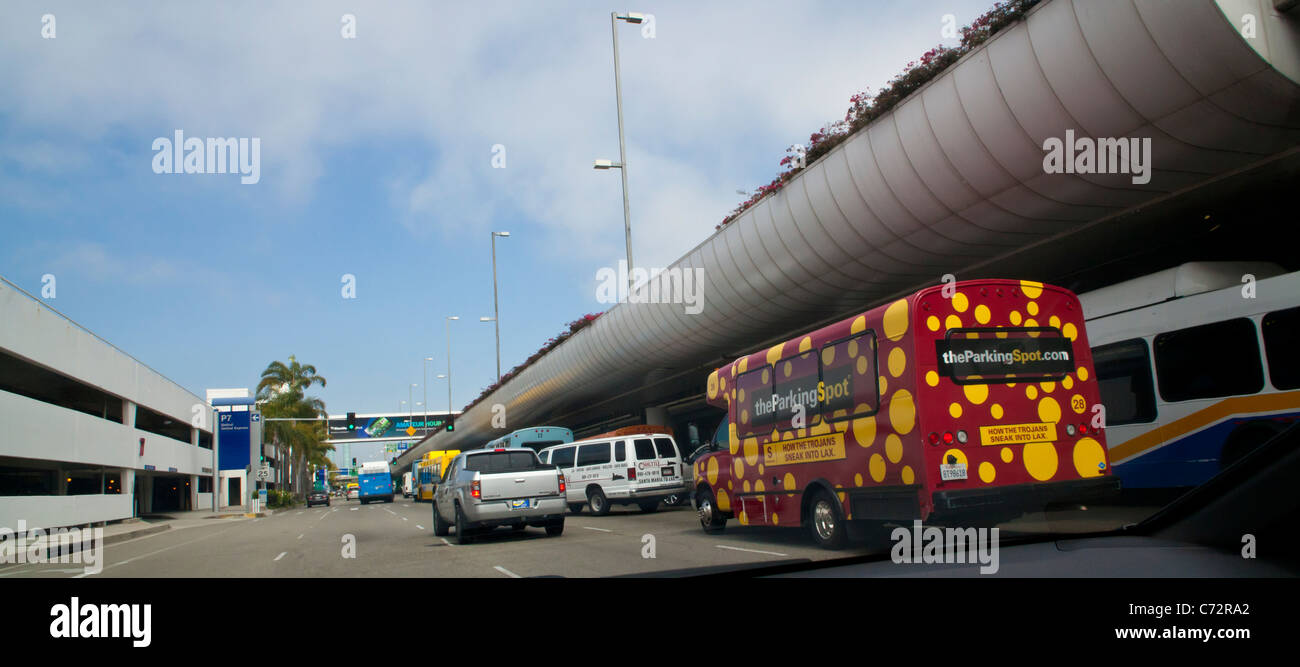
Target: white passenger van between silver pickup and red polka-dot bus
x=639, y=470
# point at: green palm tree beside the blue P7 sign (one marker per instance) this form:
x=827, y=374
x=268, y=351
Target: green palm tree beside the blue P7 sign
x=283, y=393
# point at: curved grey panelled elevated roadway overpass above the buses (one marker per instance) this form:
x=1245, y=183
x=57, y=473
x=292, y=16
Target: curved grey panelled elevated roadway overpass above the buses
x=954, y=181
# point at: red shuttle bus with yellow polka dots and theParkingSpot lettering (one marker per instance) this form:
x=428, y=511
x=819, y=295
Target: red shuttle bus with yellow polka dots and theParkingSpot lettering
x=968, y=404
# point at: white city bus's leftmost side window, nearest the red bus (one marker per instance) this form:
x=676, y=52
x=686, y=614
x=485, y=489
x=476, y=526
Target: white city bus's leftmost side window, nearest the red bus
x=1124, y=380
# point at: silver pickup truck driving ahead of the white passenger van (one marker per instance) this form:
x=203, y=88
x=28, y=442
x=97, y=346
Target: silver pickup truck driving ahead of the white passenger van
x=484, y=490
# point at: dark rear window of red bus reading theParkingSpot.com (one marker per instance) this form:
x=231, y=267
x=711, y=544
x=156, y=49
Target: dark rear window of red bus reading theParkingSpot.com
x=1004, y=356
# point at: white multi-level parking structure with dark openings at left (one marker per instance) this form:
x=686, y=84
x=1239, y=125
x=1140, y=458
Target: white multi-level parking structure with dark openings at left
x=89, y=434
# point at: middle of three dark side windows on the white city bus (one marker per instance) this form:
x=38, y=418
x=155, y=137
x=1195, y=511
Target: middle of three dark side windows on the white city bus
x=1211, y=361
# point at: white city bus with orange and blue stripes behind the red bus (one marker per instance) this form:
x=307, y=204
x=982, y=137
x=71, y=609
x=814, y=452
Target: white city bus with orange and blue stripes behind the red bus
x=1197, y=366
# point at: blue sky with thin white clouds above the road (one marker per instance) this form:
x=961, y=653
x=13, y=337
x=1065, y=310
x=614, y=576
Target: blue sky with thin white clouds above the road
x=387, y=161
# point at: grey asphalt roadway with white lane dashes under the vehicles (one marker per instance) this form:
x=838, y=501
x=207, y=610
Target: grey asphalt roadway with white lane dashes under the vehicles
x=396, y=540
